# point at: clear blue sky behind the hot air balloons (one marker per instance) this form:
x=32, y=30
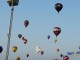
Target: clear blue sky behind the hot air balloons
x=42, y=18
